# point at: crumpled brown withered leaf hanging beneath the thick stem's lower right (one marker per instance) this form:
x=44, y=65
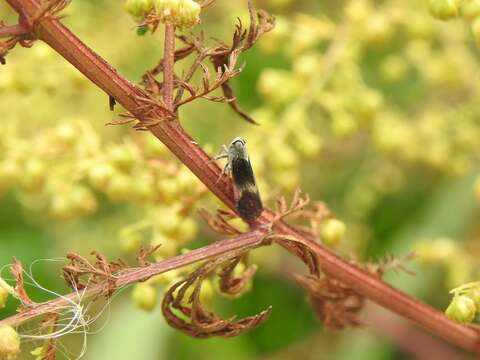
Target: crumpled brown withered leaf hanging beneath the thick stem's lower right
x=334, y=303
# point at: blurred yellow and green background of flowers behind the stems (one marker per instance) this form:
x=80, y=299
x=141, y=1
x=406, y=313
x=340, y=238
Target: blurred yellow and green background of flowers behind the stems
x=368, y=106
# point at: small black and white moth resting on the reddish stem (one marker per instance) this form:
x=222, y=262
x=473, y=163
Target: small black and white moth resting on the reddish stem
x=248, y=202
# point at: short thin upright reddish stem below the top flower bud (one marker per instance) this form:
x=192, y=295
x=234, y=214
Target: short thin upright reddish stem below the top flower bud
x=168, y=64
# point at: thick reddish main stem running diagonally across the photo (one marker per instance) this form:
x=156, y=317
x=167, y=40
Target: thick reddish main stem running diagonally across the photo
x=180, y=143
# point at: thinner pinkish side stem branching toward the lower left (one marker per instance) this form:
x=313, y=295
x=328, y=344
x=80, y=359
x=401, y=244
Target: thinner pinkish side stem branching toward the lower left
x=242, y=242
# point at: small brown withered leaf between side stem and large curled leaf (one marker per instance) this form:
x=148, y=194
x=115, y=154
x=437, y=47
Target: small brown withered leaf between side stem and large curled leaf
x=235, y=286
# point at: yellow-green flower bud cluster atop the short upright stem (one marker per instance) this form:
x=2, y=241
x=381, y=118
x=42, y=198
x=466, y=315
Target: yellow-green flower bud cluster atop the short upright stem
x=181, y=13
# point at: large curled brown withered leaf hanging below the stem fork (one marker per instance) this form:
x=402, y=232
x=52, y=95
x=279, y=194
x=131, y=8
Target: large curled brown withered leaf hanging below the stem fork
x=197, y=321
